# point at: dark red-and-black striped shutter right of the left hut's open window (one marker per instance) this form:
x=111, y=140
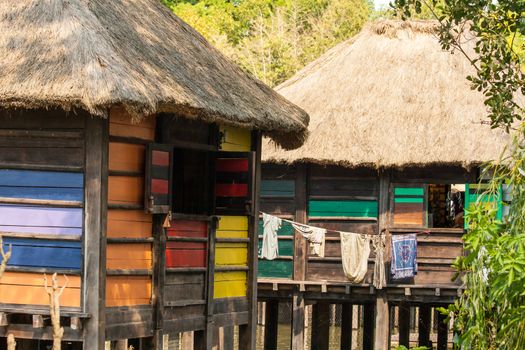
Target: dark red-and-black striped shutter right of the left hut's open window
x=233, y=183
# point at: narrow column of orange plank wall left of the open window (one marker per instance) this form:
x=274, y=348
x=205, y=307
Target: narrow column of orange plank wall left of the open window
x=129, y=260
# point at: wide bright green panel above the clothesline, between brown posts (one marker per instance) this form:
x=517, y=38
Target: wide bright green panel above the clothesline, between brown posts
x=343, y=208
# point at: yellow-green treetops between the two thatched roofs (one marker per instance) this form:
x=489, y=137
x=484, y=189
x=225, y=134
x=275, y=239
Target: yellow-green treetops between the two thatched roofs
x=273, y=39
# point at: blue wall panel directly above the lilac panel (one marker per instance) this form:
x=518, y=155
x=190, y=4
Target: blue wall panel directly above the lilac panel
x=50, y=185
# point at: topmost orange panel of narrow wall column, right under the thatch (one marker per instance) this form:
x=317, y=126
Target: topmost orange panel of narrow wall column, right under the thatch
x=121, y=124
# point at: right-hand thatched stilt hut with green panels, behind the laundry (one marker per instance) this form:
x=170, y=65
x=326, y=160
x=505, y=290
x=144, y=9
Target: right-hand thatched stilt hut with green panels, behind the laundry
x=396, y=141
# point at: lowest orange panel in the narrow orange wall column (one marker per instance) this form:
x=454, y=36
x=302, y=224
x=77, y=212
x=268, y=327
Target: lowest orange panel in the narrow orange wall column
x=128, y=290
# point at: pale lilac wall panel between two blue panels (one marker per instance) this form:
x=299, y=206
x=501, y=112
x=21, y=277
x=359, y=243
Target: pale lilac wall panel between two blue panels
x=34, y=219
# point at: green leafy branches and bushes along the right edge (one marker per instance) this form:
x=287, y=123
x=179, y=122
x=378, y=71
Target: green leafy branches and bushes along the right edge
x=491, y=312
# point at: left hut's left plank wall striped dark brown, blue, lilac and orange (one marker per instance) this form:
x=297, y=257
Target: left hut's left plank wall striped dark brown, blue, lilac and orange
x=42, y=160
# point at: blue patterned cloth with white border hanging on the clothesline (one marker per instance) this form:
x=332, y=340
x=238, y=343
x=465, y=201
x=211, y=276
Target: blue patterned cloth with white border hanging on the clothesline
x=404, y=253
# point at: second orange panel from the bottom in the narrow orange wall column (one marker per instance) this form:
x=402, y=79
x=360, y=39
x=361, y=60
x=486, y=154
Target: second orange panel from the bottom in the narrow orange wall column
x=129, y=256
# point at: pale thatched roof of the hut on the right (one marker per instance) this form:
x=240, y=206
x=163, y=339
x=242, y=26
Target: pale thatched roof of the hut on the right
x=390, y=97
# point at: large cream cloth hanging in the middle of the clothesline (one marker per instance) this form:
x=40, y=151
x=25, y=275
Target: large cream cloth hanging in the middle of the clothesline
x=355, y=250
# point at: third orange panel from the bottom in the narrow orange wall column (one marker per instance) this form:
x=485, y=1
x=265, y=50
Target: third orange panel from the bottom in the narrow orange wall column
x=129, y=224
